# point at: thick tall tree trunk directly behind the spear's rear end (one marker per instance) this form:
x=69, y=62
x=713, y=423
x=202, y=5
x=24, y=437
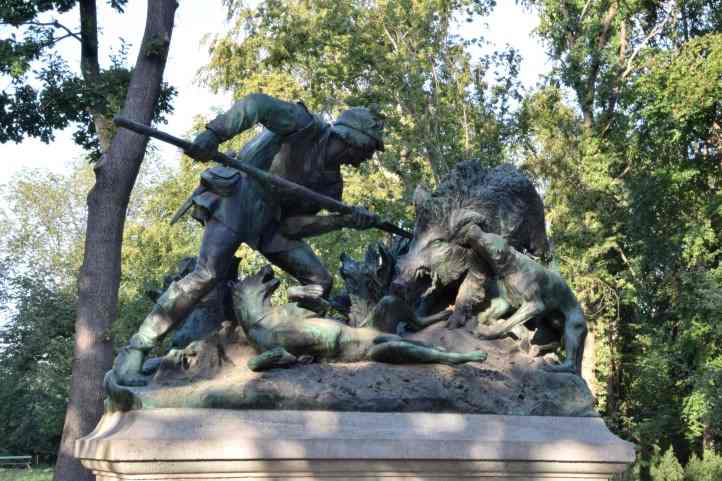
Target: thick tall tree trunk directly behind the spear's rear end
x=99, y=275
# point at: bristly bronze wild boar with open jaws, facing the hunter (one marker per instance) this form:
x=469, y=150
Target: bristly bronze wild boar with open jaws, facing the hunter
x=437, y=271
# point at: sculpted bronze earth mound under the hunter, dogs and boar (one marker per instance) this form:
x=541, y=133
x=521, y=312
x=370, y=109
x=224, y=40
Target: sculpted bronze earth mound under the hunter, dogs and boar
x=213, y=374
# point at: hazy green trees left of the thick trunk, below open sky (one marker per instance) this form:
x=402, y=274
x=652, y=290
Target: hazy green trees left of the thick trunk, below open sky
x=42, y=250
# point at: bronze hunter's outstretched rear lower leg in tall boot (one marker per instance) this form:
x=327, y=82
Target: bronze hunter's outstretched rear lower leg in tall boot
x=168, y=312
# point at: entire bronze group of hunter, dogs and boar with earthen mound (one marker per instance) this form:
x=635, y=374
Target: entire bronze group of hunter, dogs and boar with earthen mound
x=470, y=288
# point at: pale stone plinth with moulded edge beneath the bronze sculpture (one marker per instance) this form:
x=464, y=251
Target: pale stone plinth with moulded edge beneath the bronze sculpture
x=208, y=444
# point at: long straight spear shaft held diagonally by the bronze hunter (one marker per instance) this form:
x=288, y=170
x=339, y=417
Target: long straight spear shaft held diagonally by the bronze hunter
x=263, y=177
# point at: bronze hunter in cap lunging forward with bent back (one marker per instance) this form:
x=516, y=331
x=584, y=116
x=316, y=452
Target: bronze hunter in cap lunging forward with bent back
x=235, y=208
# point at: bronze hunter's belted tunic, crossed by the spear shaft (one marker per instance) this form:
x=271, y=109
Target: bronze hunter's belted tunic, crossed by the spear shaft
x=292, y=145
